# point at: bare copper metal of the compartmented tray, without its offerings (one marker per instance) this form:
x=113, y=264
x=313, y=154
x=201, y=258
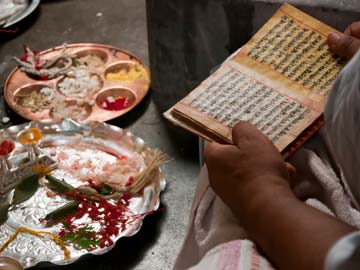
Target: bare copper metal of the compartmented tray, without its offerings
x=19, y=83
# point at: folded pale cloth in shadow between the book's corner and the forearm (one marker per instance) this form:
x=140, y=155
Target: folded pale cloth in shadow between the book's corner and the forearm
x=314, y=164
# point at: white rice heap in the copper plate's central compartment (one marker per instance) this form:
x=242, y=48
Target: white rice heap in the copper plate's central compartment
x=79, y=83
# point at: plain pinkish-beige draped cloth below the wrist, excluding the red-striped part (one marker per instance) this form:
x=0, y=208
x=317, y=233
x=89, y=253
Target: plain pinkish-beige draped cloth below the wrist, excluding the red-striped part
x=211, y=223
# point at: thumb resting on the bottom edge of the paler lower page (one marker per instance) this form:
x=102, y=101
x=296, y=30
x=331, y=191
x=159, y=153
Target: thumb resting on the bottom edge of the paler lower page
x=244, y=132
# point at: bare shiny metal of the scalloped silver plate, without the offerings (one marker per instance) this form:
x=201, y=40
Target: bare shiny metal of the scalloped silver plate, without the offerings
x=30, y=250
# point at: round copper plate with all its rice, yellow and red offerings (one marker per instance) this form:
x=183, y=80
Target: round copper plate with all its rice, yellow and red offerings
x=84, y=82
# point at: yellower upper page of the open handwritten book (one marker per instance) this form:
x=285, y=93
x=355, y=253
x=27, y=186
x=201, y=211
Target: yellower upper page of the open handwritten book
x=292, y=46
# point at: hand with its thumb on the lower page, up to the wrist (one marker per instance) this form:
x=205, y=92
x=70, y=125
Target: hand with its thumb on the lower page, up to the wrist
x=249, y=167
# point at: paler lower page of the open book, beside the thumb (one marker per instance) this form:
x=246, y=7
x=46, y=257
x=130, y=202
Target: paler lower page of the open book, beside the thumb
x=230, y=96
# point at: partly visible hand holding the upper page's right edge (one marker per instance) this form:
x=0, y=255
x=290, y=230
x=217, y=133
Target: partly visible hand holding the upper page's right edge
x=347, y=43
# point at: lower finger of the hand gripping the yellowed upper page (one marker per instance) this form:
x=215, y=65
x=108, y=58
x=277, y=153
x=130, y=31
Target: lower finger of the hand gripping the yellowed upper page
x=343, y=45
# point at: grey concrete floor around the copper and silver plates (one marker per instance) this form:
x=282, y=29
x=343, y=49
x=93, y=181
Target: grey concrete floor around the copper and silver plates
x=121, y=23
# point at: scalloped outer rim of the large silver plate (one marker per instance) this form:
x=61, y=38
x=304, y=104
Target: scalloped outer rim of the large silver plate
x=154, y=197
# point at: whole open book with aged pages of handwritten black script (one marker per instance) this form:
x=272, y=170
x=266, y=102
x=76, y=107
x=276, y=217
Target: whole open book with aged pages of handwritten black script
x=278, y=81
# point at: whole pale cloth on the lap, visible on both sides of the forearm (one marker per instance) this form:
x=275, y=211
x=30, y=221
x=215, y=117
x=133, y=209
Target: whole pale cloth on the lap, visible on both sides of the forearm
x=215, y=238
